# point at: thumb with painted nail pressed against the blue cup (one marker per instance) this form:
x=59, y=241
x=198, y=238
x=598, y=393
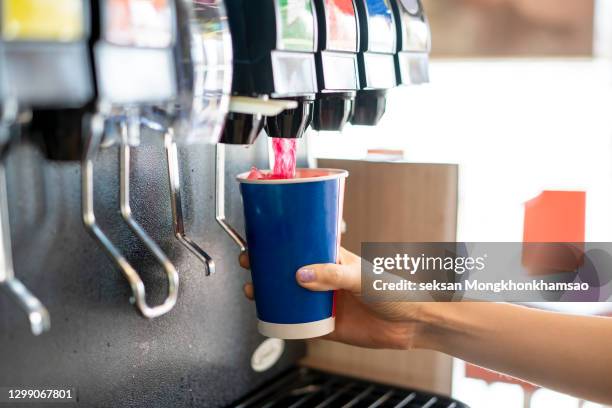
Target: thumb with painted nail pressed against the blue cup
x=325, y=277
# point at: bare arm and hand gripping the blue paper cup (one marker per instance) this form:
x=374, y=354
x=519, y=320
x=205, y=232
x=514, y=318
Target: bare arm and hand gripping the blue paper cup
x=570, y=354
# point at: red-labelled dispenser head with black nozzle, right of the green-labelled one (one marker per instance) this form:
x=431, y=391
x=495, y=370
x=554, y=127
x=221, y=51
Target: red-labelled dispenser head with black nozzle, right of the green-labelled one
x=336, y=60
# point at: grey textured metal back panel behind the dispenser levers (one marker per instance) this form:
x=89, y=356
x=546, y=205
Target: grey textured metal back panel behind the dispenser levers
x=199, y=354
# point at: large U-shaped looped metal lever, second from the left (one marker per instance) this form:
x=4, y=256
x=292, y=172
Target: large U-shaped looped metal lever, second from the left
x=96, y=131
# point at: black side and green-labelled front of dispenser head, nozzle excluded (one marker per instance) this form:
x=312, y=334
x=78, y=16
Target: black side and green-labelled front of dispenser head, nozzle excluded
x=281, y=62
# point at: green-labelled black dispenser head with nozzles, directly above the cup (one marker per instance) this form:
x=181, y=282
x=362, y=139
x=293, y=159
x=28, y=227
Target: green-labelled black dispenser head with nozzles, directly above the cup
x=274, y=43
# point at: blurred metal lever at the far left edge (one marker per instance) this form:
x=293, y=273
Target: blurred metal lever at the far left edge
x=38, y=315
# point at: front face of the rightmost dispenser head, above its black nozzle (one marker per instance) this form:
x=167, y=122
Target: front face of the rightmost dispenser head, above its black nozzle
x=413, y=42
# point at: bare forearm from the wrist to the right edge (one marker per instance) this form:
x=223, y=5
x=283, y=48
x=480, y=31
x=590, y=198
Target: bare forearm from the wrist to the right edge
x=571, y=354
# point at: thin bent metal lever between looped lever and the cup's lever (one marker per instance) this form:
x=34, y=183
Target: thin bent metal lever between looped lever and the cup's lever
x=177, y=207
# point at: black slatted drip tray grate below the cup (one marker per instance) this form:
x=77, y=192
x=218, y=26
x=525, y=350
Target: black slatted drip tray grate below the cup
x=306, y=388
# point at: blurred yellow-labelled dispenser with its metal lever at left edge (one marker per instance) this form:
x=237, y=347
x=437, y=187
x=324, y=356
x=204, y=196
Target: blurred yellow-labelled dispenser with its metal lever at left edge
x=39, y=40
